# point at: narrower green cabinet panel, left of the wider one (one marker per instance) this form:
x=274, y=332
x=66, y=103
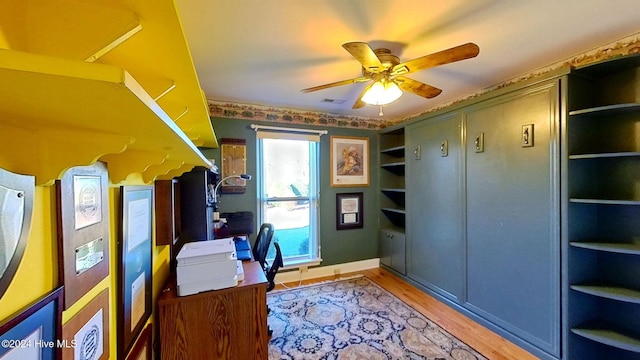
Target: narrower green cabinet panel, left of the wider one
x=435, y=231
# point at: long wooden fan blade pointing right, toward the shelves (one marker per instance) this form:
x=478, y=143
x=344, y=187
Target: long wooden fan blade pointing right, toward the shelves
x=461, y=52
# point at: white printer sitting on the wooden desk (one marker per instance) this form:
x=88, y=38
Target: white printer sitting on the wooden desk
x=206, y=265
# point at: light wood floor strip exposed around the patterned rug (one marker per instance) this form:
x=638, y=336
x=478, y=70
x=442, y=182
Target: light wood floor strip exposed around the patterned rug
x=478, y=337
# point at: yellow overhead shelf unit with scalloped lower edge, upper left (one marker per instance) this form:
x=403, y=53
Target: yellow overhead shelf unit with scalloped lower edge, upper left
x=102, y=80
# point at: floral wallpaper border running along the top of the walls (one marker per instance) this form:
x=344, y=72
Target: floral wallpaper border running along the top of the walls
x=626, y=46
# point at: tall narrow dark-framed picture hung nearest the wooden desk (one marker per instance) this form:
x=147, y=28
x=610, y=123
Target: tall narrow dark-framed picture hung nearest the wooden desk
x=134, y=267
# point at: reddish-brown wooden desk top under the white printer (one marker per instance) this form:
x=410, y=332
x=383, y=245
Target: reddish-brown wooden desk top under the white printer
x=253, y=276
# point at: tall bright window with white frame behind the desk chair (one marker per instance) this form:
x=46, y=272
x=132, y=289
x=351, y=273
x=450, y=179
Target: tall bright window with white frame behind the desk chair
x=288, y=194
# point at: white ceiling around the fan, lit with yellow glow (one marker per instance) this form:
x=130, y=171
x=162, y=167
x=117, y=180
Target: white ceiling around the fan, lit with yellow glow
x=263, y=52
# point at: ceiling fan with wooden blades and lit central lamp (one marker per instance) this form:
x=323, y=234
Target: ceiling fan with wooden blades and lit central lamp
x=388, y=73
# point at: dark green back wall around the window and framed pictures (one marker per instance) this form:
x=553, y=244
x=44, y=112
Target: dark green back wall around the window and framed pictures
x=337, y=246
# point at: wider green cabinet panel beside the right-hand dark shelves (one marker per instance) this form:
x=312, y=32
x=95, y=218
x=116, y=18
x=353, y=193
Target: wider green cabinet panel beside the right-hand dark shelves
x=512, y=213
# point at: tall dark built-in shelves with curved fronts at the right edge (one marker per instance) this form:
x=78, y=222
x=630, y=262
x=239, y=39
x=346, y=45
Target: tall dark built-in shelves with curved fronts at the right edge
x=603, y=208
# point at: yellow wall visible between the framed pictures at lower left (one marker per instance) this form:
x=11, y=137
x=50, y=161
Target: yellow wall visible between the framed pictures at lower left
x=38, y=270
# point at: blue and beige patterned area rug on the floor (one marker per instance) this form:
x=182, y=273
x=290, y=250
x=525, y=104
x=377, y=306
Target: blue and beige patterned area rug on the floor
x=355, y=319
